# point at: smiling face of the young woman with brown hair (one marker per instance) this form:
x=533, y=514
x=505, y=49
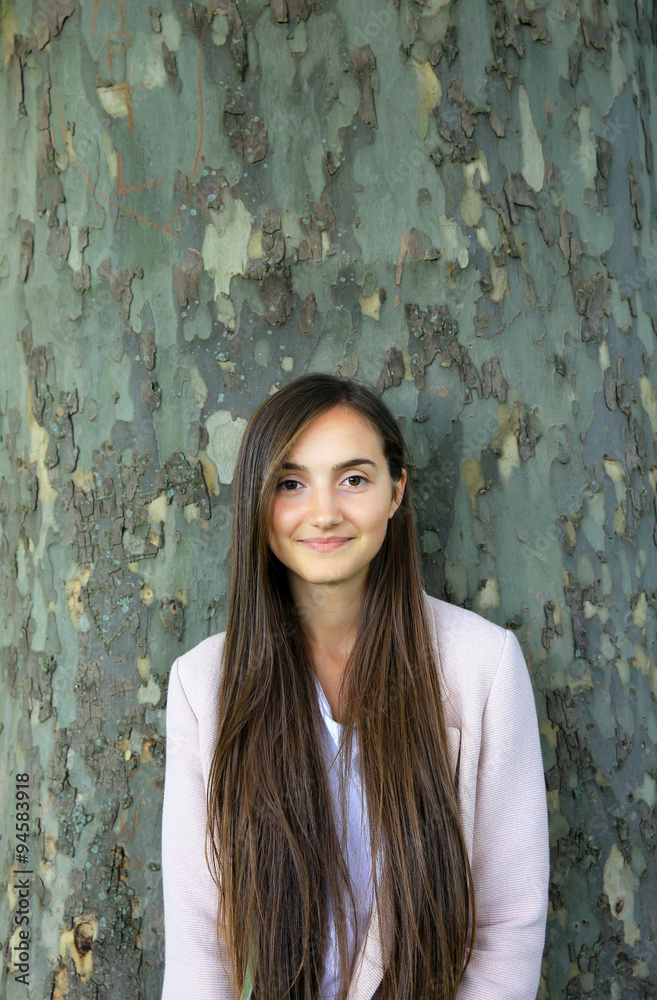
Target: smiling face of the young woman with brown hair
x=333, y=500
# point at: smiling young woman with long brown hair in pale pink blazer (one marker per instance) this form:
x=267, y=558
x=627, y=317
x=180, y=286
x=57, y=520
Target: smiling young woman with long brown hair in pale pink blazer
x=354, y=798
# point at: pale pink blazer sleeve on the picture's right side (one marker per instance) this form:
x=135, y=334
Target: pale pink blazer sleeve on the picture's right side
x=510, y=851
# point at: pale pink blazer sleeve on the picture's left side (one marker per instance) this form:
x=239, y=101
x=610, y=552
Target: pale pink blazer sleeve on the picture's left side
x=193, y=967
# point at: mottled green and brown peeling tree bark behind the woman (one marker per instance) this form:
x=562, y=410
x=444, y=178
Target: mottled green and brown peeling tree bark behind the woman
x=201, y=201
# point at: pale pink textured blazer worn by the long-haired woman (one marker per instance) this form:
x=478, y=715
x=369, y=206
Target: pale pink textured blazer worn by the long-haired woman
x=494, y=747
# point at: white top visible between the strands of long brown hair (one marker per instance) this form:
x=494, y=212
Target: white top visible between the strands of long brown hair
x=358, y=855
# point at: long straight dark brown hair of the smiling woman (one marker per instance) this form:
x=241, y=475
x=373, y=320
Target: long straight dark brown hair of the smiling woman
x=276, y=855
